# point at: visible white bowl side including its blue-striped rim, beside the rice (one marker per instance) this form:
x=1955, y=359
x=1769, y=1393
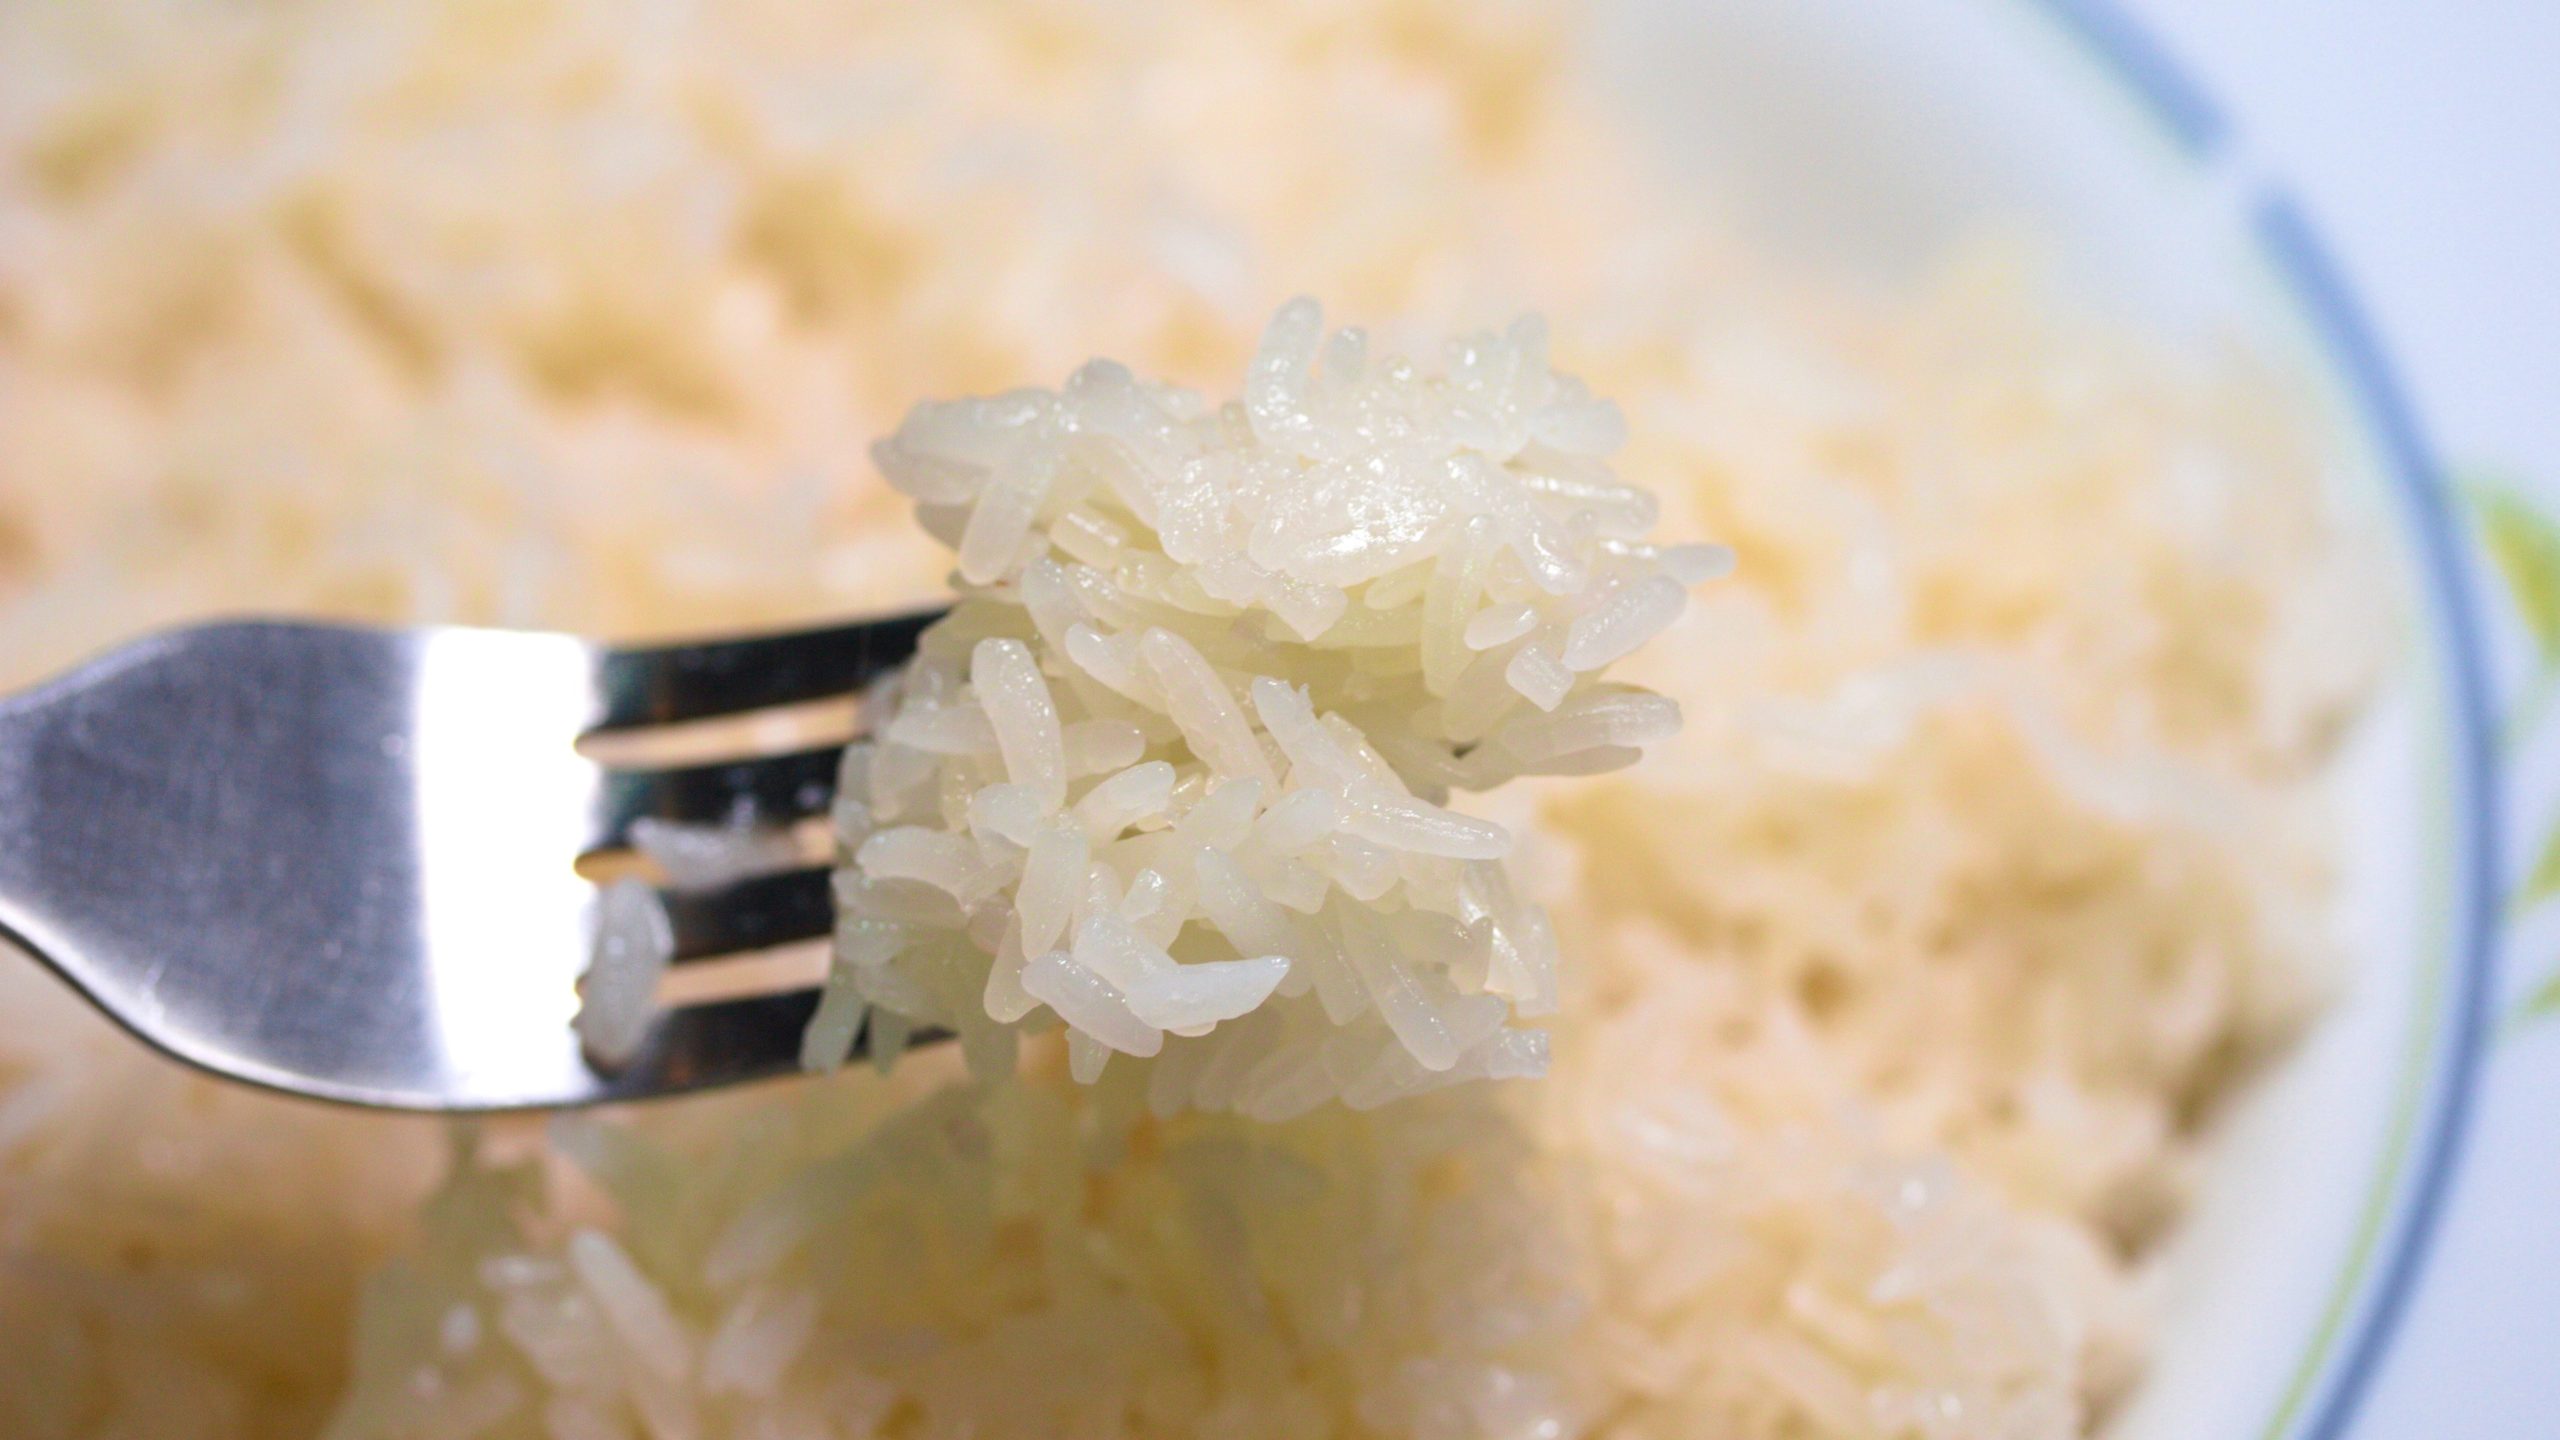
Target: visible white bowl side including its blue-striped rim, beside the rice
x=1875, y=137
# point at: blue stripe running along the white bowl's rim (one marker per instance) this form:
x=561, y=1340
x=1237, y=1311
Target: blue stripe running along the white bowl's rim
x=2328, y=304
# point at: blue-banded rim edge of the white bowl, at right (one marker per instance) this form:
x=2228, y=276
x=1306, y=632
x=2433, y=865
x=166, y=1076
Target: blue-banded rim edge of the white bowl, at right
x=2418, y=1175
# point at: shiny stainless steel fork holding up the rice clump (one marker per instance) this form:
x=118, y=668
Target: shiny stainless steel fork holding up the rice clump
x=347, y=862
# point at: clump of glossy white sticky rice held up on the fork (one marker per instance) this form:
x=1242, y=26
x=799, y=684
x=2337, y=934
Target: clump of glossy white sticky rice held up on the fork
x=1176, y=770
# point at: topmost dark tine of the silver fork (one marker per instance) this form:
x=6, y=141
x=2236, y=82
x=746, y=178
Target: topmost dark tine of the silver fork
x=705, y=680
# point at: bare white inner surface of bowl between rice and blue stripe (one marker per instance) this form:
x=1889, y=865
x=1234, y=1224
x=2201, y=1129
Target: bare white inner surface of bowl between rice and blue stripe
x=1878, y=137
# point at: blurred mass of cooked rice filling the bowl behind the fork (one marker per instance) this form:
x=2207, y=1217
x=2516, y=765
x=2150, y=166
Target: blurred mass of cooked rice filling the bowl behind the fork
x=1898, y=985
